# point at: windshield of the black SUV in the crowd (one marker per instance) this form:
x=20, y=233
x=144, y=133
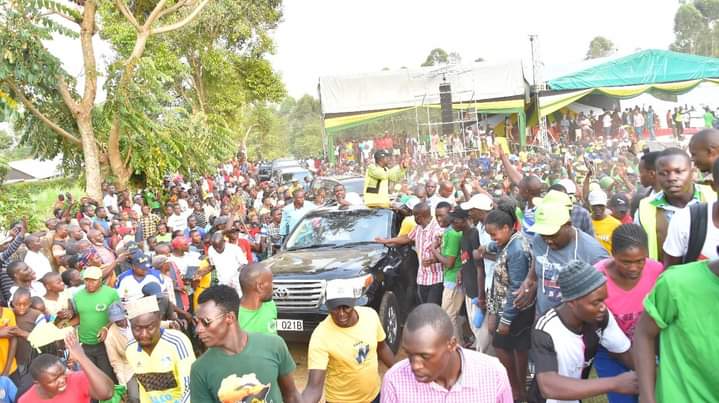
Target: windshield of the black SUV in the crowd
x=339, y=228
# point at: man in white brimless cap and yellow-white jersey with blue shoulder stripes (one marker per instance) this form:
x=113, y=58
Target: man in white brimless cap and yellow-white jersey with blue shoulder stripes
x=160, y=358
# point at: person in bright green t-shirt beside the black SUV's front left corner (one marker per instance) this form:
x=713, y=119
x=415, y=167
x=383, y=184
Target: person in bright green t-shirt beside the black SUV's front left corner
x=258, y=312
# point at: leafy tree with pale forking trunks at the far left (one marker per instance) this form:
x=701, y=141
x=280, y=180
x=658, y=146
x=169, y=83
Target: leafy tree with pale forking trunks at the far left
x=34, y=77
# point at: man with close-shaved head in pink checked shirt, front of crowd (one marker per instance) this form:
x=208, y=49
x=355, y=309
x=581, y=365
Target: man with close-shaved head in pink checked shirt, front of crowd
x=437, y=369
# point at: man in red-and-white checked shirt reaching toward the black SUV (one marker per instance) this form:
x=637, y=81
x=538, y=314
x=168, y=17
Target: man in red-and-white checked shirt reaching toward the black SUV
x=426, y=236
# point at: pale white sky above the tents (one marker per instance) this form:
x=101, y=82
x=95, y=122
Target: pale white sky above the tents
x=335, y=37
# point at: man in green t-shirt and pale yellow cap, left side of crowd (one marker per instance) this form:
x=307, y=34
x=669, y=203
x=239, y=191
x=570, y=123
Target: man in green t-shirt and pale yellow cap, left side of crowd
x=91, y=305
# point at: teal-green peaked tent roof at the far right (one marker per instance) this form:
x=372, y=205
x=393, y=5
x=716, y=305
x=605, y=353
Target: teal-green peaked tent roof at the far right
x=645, y=67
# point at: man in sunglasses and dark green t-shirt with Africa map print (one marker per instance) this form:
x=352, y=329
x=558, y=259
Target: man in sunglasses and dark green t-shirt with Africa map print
x=238, y=366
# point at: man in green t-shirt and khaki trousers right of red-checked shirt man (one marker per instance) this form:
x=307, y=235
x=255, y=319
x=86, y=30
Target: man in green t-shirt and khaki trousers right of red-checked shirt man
x=448, y=253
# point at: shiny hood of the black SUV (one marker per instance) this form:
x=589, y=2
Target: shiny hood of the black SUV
x=325, y=263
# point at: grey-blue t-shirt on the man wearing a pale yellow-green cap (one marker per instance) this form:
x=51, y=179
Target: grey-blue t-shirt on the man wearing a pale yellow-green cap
x=550, y=262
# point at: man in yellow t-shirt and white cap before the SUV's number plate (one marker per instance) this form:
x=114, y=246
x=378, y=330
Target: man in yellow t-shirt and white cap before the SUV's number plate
x=344, y=350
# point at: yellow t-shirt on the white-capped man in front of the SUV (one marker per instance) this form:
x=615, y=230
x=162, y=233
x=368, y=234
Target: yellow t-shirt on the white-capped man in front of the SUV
x=349, y=355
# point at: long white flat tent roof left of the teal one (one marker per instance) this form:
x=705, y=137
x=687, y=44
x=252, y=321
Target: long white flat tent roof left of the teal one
x=405, y=88
